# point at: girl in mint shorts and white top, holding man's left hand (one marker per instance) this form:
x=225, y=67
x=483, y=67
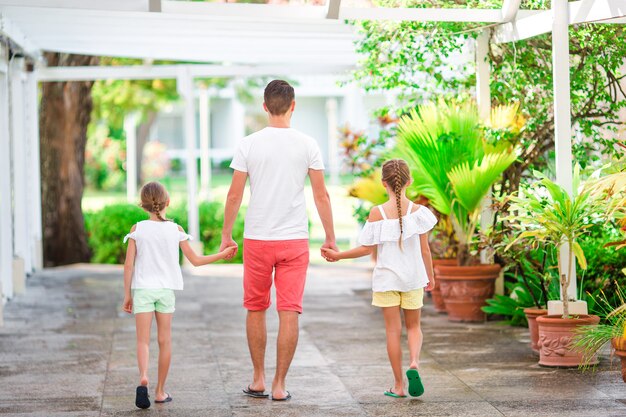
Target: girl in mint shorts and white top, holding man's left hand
x=151, y=275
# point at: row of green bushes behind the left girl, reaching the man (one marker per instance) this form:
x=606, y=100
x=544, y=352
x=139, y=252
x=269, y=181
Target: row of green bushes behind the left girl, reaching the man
x=107, y=227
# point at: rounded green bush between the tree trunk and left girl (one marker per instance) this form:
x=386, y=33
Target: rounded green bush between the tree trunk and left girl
x=106, y=229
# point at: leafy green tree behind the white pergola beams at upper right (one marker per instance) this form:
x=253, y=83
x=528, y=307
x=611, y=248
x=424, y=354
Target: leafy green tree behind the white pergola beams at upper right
x=423, y=60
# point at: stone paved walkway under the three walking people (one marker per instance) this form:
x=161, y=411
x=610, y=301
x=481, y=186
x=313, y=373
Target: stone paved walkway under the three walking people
x=67, y=350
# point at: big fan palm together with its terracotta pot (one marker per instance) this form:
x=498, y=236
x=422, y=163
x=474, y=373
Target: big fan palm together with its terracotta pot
x=455, y=168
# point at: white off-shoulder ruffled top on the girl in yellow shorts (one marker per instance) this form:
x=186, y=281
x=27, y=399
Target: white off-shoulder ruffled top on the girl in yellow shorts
x=398, y=269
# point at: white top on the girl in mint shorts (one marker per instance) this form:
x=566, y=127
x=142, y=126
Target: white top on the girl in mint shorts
x=157, y=263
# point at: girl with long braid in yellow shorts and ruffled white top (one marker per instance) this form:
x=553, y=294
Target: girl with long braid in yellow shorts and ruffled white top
x=403, y=269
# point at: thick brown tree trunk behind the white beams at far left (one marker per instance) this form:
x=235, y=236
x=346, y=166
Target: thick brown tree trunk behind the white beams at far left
x=64, y=116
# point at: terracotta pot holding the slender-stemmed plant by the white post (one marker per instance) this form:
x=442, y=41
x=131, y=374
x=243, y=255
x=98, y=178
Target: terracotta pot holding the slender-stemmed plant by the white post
x=555, y=339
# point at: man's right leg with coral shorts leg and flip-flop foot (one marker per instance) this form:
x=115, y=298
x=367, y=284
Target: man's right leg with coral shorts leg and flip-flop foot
x=290, y=278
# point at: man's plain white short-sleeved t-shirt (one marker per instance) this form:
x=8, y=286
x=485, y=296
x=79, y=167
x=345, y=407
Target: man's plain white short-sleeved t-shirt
x=277, y=161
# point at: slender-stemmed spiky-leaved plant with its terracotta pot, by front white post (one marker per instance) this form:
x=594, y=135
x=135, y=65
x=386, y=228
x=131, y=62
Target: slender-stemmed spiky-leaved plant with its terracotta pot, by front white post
x=545, y=213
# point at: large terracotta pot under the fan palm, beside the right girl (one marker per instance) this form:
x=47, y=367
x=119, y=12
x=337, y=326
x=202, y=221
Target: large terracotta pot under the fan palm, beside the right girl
x=465, y=289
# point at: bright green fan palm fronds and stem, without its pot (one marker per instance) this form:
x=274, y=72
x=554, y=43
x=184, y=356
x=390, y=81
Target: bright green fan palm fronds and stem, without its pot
x=452, y=164
